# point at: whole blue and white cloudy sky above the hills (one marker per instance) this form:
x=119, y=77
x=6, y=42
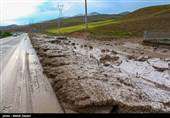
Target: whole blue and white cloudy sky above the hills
x=31, y=11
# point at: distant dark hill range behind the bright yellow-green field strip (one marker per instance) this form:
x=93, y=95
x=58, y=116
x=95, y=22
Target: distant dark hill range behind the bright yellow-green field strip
x=67, y=22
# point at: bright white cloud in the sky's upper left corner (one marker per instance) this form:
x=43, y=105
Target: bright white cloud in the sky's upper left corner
x=10, y=10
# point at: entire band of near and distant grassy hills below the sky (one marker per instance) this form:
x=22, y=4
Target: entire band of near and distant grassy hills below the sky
x=104, y=26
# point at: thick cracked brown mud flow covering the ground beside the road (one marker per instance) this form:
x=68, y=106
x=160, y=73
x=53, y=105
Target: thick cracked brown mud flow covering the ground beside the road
x=93, y=76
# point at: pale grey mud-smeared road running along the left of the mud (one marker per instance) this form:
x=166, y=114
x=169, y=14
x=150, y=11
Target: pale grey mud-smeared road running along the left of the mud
x=23, y=86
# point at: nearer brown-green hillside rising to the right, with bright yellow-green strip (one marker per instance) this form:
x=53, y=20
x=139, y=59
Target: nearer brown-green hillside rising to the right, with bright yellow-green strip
x=155, y=18
